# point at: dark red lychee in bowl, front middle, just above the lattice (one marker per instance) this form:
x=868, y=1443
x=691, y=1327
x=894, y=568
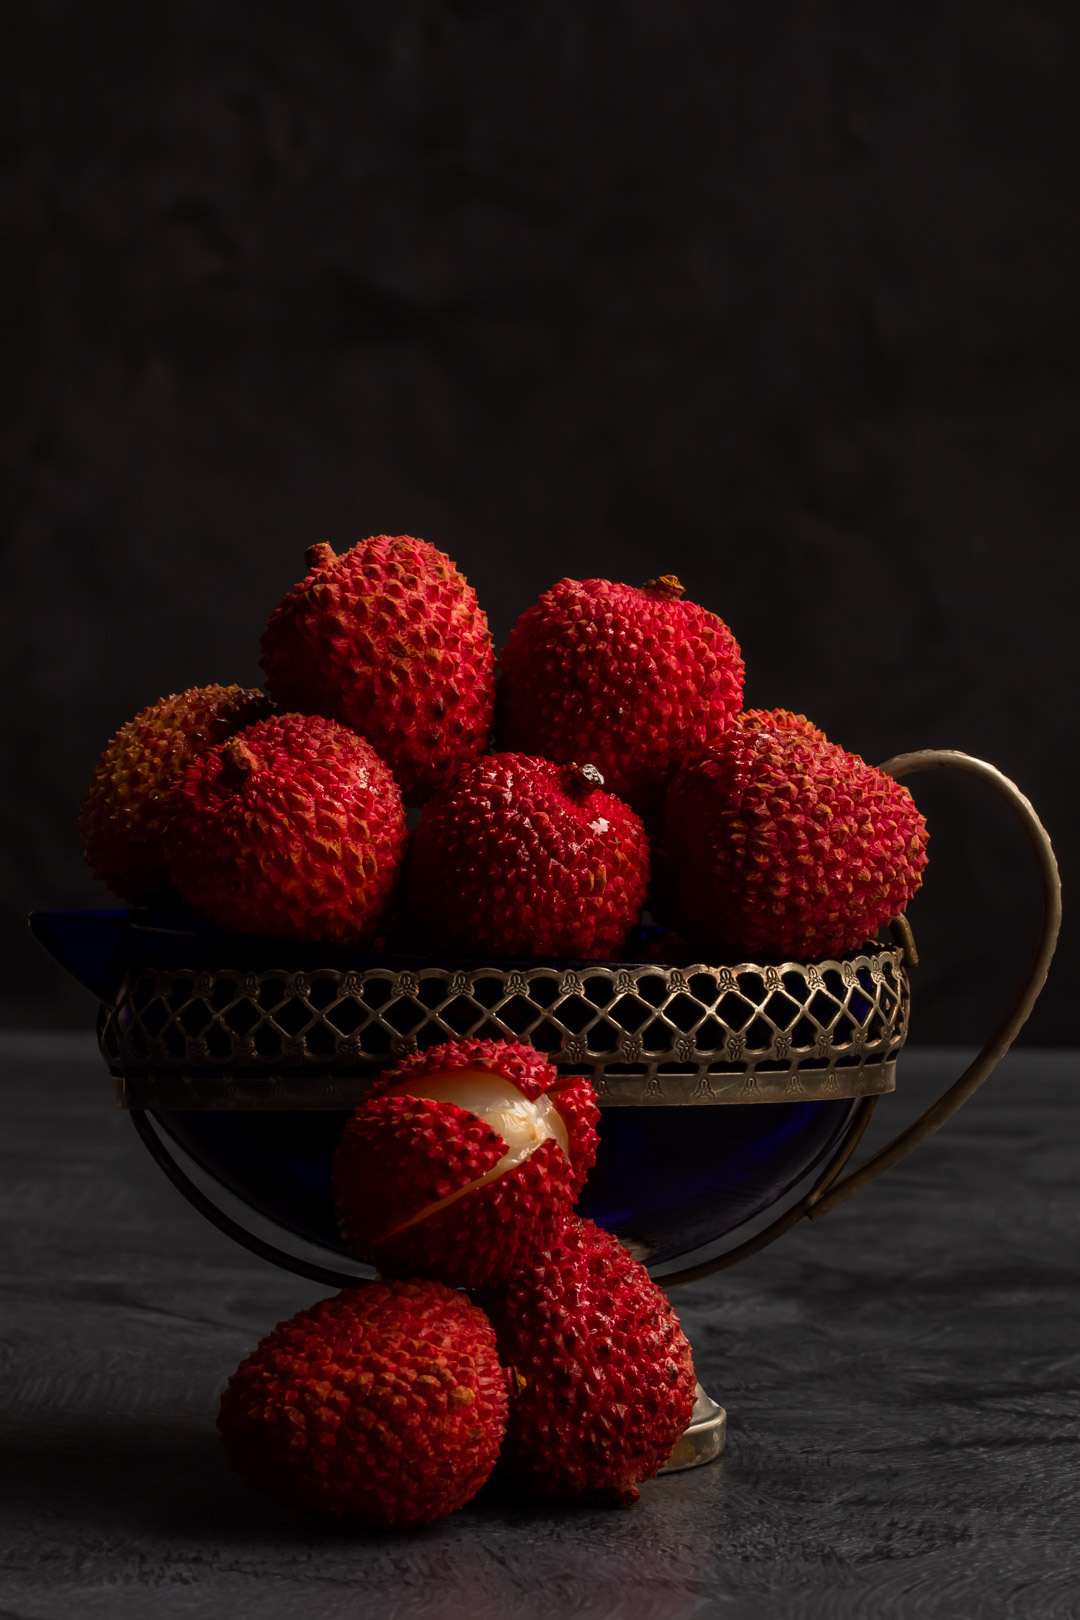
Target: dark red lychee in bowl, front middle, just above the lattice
x=519, y=858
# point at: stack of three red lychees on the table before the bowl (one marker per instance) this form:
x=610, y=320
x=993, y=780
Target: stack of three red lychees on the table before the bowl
x=503, y=1329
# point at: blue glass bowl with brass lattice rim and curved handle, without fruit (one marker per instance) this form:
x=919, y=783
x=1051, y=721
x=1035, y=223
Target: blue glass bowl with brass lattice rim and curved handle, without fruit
x=723, y=1086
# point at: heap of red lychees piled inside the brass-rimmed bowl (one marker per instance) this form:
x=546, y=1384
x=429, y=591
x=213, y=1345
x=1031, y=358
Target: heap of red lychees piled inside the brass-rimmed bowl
x=626, y=772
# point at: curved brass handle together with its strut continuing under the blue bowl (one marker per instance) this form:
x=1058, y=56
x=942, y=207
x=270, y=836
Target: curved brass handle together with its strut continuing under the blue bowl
x=828, y=1192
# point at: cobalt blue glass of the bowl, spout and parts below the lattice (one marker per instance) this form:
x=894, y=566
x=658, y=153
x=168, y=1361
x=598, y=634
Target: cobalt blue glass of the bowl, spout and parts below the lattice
x=670, y=1180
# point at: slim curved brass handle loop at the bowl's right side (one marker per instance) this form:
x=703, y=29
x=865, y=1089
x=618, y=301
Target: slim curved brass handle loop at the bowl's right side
x=1018, y=1015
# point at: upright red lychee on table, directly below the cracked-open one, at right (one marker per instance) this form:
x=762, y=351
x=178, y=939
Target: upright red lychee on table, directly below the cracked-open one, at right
x=603, y=1371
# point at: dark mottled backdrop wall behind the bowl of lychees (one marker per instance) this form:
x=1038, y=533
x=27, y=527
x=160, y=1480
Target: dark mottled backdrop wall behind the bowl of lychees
x=780, y=299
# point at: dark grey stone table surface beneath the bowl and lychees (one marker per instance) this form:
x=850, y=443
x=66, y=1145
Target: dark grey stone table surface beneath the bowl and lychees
x=903, y=1384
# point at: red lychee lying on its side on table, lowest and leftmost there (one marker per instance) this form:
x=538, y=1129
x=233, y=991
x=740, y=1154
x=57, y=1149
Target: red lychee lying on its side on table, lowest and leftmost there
x=385, y=1405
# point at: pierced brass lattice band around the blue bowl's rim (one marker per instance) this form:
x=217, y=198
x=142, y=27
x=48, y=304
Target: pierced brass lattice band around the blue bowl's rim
x=647, y=1034
